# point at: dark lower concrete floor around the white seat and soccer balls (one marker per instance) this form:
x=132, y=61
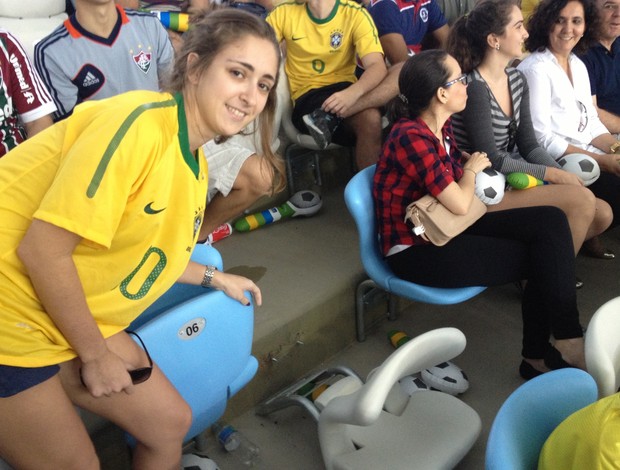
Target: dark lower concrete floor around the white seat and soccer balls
x=492, y=324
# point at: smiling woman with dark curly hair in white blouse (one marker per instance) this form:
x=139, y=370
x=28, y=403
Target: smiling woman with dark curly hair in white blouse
x=564, y=117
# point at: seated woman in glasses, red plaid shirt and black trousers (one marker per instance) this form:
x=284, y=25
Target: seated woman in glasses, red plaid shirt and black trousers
x=420, y=157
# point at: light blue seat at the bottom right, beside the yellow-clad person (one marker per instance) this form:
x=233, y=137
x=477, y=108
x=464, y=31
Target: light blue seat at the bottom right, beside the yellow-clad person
x=531, y=413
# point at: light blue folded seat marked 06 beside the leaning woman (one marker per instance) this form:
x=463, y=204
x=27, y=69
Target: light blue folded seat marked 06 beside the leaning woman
x=202, y=341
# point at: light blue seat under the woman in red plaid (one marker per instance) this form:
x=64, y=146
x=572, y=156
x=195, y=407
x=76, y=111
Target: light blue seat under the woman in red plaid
x=359, y=200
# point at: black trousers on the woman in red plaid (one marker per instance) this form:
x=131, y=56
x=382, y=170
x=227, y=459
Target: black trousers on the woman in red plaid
x=531, y=243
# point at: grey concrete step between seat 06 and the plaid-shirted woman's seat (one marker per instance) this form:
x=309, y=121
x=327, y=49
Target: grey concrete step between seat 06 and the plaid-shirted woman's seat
x=307, y=269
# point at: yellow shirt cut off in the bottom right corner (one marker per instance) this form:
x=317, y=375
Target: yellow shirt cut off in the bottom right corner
x=589, y=439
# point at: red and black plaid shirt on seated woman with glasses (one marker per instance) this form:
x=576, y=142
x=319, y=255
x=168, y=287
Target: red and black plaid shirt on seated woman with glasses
x=413, y=163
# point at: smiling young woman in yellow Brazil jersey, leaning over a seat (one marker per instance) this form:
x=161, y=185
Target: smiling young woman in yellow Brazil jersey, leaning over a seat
x=100, y=213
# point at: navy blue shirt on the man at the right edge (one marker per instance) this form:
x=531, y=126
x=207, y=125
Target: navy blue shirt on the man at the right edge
x=604, y=70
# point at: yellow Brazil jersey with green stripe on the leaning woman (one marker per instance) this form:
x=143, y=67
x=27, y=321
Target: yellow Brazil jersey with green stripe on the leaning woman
x=119, y=173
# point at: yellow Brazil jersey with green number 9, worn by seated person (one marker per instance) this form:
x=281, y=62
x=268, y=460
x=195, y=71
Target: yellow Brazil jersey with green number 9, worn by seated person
x=323, y=52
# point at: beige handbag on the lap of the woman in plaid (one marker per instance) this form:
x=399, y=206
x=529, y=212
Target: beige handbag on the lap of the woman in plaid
x=437, y=224
